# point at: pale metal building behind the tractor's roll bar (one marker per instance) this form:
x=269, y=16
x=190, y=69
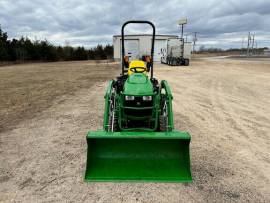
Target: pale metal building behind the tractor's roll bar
x=137, y=46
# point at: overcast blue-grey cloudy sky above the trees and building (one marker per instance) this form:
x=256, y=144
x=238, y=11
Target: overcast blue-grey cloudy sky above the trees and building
x=220, y=23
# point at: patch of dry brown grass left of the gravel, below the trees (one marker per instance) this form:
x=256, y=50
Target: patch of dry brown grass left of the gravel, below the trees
x=28, y=89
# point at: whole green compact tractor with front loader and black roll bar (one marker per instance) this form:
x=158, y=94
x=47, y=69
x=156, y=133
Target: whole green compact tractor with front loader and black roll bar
x=138, y=141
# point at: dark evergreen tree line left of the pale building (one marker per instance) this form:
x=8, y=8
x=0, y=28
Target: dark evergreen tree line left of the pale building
x=24, y=49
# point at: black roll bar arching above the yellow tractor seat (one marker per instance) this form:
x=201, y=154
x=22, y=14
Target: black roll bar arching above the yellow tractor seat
x=123, y=41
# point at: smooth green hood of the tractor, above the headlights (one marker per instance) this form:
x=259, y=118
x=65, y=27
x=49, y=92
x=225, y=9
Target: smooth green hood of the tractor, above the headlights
x=138, y=84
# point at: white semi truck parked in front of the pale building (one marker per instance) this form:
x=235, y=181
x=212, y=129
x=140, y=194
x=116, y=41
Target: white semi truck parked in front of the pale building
x=177, y=52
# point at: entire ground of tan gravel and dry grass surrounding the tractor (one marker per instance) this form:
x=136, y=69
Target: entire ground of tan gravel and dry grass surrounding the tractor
x=46, y=110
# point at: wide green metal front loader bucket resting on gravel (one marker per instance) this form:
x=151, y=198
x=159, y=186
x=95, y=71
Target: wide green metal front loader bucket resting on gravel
x=138, y=156
